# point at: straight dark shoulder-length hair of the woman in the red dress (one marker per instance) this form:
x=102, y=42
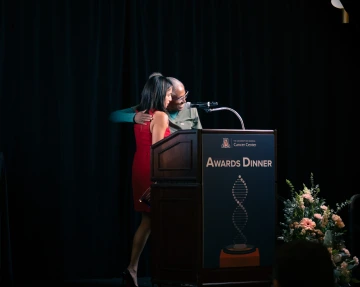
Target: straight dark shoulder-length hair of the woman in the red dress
x=154, y=93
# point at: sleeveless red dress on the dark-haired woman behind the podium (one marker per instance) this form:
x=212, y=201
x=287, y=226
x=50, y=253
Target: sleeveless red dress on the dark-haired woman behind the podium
x=141, y=163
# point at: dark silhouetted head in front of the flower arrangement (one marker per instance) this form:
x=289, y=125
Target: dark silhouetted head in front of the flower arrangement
x=304, y=263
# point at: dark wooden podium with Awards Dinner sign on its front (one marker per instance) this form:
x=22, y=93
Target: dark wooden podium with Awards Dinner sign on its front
x=213, y=208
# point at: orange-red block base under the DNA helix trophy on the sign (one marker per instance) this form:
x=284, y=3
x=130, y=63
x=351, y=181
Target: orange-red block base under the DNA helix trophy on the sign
x=239, y=260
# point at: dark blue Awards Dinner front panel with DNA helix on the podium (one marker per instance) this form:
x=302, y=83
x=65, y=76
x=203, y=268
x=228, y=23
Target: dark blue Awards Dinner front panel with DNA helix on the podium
x=239, y=199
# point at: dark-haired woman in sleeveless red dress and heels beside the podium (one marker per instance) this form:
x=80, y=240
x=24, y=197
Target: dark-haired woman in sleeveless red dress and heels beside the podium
x=155, y=98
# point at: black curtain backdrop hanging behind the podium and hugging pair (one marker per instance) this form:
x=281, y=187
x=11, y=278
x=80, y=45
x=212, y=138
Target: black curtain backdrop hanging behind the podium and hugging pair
x=288, y=65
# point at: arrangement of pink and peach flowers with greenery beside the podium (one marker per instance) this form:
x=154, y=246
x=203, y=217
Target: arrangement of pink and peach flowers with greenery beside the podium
x=307, y=216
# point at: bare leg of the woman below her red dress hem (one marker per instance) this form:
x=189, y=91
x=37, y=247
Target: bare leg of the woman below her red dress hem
x=140, y=238
